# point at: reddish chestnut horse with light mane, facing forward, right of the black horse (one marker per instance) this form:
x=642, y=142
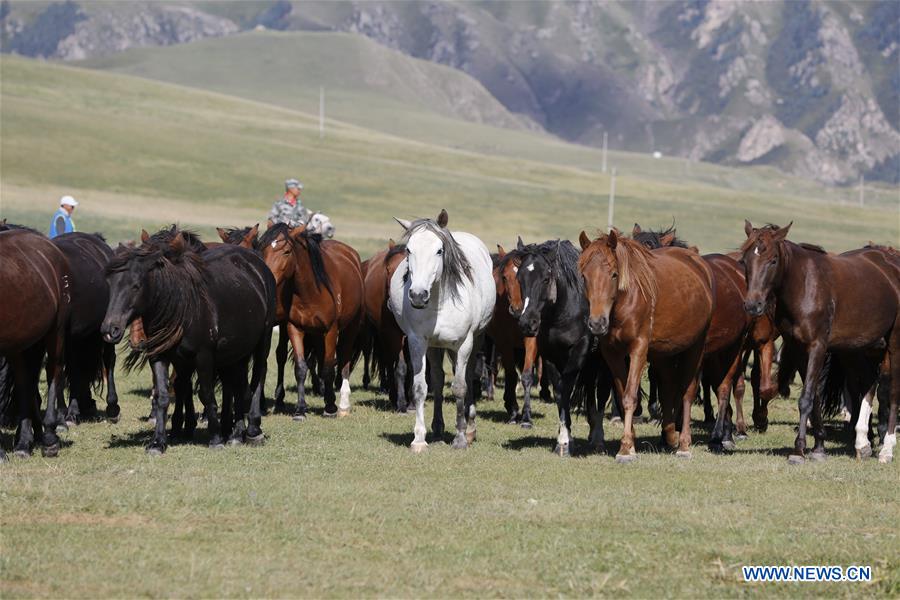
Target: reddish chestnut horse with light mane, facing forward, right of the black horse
x=649, y=306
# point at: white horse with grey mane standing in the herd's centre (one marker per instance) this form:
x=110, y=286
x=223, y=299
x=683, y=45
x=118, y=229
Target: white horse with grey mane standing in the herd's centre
x=443, y=297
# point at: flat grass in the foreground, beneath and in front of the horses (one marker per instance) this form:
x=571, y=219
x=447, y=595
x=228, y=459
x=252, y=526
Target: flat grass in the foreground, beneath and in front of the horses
x=336, y=508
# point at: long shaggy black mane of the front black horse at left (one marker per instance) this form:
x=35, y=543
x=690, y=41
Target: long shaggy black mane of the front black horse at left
x=178, y=294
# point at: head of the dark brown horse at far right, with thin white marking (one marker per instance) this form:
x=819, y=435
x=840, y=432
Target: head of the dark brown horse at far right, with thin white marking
x=763, y=257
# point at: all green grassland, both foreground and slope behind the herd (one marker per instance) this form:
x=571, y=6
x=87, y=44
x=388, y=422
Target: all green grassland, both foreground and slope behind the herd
x=341, y=507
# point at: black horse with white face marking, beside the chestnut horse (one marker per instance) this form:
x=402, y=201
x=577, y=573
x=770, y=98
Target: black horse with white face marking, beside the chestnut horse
x=554, y=308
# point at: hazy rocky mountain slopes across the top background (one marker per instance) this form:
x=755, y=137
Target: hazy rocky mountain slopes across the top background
x=810, y=86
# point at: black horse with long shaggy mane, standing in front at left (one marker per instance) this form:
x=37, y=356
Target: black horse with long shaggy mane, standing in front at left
x=209, y=312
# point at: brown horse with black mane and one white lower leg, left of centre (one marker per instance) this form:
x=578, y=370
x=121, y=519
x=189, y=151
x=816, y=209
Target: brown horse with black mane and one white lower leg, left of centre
x=320, y=294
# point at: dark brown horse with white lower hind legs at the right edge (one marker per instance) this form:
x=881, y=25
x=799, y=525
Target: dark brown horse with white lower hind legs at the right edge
x=818, y=300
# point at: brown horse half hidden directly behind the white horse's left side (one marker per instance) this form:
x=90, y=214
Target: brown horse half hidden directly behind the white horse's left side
x=386, y=336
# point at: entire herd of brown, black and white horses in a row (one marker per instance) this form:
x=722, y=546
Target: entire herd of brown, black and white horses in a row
x=584, y=323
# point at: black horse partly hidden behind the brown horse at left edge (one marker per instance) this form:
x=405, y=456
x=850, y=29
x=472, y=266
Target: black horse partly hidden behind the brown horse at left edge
x=88, y=357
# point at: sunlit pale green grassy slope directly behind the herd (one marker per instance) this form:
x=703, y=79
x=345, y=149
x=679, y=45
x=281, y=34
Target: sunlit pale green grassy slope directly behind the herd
x=140, y=153
